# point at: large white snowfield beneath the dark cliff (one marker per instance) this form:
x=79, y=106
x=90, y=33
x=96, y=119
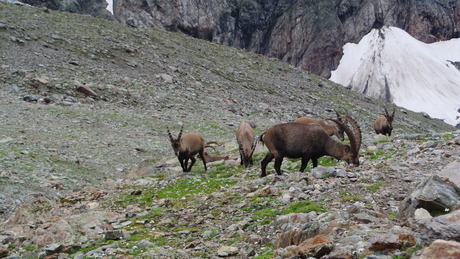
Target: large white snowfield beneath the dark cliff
x=389, y=64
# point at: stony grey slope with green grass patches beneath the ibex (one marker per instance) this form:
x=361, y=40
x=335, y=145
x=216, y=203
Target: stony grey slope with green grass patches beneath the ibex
x=77, y=169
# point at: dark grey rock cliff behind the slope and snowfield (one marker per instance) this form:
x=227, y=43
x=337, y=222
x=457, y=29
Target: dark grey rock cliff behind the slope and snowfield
x=306, y=34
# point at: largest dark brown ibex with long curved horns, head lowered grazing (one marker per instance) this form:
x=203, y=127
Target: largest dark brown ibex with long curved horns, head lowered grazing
x=309, y=141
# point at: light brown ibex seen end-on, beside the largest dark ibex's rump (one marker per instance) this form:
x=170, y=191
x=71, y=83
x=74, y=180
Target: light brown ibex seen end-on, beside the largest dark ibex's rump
x=246, y=143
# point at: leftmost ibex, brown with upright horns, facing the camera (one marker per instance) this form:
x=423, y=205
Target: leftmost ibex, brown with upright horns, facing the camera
x=186, y=147
